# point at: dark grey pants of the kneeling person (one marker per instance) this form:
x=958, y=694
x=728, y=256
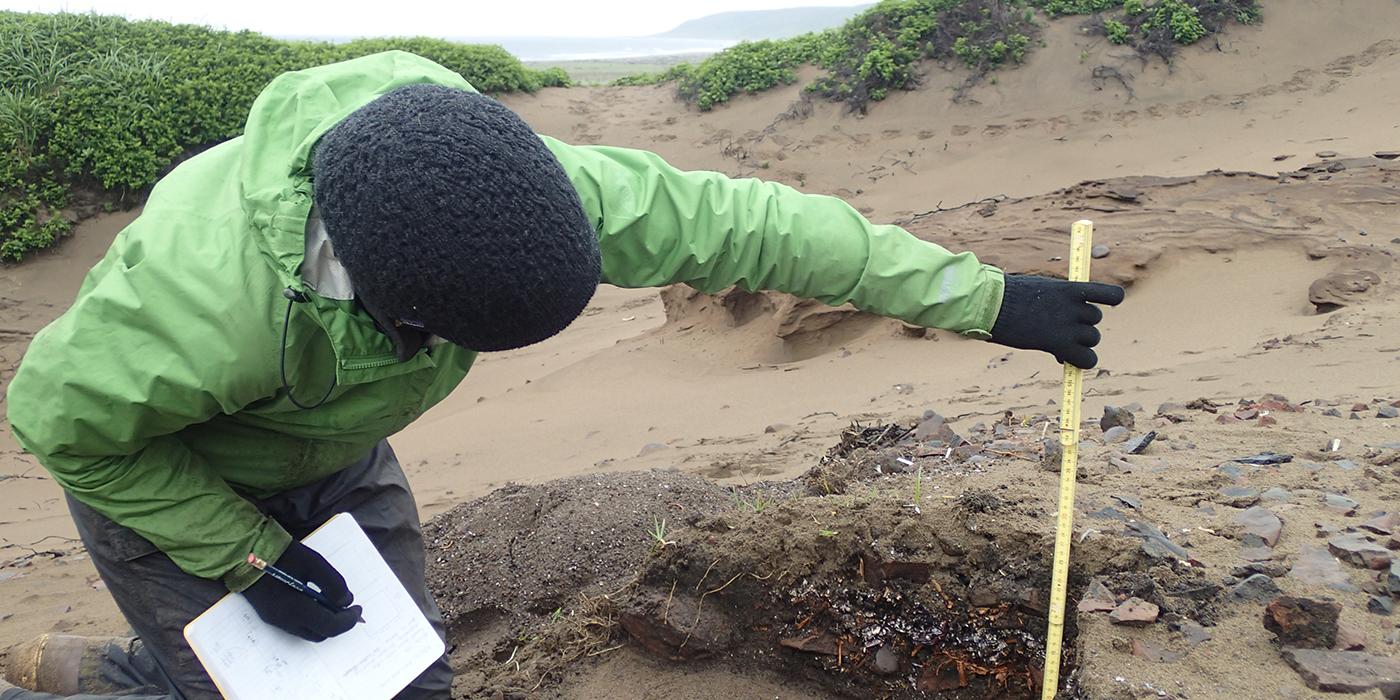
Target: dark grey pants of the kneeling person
x=159, y=600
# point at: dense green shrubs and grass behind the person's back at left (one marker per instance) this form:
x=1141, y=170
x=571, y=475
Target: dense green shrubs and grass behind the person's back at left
x=110, y=104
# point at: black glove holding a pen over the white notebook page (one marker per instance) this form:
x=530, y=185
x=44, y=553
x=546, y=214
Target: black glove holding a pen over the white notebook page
x=282, y=607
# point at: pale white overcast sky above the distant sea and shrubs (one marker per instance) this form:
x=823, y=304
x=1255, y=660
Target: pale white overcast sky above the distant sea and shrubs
x=423, y=17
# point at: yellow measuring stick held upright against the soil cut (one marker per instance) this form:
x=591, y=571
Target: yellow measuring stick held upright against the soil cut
x=1081, y=239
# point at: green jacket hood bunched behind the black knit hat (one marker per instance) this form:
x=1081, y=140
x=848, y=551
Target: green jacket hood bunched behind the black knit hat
x=283, y=127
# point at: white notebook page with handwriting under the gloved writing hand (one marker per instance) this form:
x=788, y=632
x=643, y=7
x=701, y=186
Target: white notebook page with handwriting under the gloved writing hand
x=250, y=659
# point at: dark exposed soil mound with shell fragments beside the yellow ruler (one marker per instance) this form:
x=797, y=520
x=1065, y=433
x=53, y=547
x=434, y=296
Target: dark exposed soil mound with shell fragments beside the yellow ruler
x=881, y=587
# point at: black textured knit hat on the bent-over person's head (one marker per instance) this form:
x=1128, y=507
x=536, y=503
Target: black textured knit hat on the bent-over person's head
x=450, y=212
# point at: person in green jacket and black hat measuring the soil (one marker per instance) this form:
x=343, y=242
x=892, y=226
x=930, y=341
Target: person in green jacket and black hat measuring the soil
x=227, y=377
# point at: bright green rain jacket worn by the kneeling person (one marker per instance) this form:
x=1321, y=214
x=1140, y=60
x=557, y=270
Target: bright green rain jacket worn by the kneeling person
x=157, y=398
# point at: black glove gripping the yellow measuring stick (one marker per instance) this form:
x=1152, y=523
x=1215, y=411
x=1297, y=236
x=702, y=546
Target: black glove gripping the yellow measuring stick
x=1053, y=316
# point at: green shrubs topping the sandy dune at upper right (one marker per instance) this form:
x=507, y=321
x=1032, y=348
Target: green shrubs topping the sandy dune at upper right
x=881, y=50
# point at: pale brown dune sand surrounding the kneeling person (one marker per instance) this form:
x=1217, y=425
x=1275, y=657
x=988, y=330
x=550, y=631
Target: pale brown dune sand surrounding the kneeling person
x=1220, y=267
